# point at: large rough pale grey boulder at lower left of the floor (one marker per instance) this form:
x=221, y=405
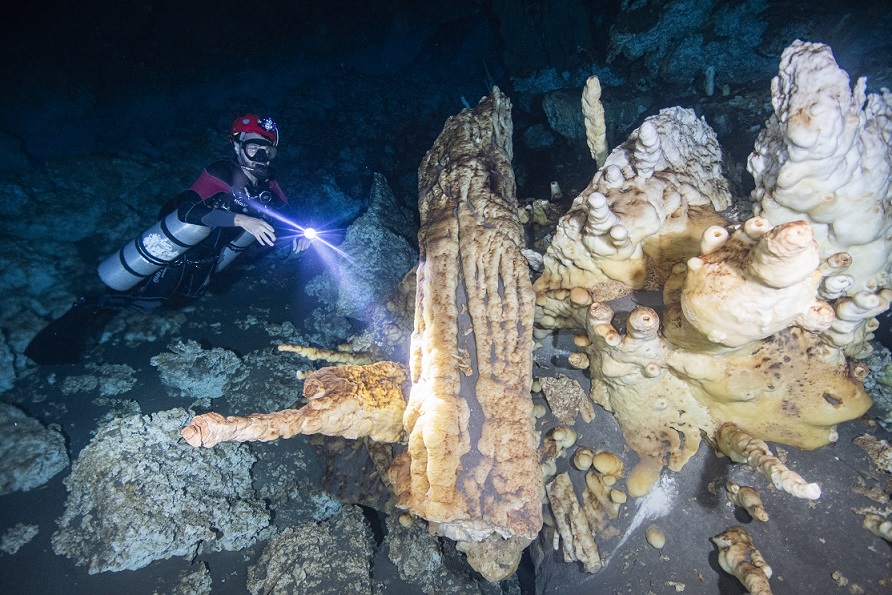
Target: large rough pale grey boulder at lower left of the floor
x=136, y=495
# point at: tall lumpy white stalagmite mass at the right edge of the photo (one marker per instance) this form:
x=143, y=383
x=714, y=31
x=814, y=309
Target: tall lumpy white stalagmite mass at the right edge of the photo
x=825, y=156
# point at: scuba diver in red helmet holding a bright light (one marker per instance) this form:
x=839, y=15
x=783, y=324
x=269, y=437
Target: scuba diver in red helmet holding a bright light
x=199, y=232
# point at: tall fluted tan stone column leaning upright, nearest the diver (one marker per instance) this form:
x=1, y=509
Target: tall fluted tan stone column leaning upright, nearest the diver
x=471, y=466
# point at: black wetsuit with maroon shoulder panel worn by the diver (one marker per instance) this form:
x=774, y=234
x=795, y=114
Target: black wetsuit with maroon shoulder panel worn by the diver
x=220, y=193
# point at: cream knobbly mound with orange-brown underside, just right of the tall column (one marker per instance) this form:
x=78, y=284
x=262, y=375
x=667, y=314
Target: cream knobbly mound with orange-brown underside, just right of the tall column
x=644, y=211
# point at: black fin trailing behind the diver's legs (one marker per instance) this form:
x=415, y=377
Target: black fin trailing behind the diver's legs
x=64, y=340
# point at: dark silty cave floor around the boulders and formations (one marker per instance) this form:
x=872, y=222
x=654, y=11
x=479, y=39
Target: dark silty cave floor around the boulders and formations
x=813, y=547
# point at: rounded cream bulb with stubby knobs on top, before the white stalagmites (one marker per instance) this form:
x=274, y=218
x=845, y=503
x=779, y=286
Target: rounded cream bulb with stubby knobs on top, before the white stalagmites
x=747, y=285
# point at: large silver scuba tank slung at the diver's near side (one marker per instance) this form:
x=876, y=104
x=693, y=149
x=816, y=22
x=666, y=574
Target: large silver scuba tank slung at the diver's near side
x=149, y=251
